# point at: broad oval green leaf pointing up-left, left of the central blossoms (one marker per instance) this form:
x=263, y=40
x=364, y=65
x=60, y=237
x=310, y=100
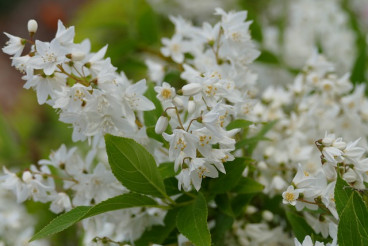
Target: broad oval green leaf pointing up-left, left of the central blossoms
x=134, y=166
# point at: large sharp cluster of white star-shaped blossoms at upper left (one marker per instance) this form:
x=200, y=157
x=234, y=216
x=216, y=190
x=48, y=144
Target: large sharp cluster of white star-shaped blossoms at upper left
x=82, y=86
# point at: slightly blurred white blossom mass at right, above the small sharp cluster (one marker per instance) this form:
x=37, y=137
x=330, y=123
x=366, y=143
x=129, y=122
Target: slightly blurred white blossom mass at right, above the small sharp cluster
x=317, y=101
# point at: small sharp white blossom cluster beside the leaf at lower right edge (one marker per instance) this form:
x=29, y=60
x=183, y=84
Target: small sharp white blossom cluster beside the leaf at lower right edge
x=316, y=190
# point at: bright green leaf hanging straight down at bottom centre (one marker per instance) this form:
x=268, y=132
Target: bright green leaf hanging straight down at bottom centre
x=192, y=222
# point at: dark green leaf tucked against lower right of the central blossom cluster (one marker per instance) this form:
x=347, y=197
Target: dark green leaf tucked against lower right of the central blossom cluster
x=226, y=182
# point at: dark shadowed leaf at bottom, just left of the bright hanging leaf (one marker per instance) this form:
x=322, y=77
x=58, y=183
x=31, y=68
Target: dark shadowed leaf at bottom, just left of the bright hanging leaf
x=157, y=234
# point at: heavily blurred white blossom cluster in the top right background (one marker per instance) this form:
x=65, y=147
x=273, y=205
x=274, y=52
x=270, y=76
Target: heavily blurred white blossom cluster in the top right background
x=310, y=23
